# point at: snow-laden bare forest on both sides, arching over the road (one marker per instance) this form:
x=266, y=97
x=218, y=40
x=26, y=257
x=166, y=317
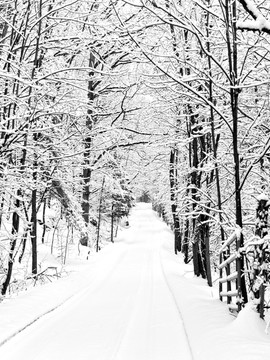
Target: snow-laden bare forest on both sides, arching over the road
x=105, y=103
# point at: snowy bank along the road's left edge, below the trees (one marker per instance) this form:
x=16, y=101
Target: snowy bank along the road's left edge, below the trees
x=20, y=311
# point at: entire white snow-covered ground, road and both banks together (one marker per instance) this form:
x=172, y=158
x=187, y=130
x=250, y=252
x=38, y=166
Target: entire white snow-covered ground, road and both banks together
x=133, y=300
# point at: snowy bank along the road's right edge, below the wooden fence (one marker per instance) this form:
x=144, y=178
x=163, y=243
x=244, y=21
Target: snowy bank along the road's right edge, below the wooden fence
x=212, y=331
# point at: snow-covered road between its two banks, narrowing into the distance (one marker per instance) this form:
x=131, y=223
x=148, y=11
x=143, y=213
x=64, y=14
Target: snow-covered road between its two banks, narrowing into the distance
x=127, y=312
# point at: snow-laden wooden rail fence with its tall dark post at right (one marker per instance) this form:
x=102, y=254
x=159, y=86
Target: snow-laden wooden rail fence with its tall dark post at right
x=251, y=259
